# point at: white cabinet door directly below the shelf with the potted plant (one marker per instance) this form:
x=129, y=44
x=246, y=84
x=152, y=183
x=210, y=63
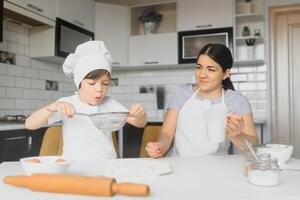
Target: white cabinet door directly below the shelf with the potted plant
x=156, y=49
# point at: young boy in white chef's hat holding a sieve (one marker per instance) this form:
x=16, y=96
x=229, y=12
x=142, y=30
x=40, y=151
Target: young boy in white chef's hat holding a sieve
x=90, y=65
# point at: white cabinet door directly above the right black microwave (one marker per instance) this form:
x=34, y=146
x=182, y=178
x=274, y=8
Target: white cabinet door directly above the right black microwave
x=203, y=14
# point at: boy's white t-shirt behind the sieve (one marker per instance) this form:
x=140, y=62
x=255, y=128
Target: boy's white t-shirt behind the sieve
x=81, y=139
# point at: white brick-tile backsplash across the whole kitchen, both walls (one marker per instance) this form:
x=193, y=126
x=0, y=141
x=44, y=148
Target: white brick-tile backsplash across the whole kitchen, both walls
x=22, y=86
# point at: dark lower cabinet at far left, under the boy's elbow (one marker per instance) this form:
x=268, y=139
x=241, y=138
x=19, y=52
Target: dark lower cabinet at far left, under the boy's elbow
x=16, y=144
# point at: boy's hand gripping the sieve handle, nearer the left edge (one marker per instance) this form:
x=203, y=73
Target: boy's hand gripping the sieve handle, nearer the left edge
x=63, y=108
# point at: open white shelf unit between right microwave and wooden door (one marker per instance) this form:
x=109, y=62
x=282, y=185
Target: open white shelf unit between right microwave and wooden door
x=249, y=32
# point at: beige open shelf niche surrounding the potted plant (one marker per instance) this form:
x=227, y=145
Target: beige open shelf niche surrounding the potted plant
x=166, y=25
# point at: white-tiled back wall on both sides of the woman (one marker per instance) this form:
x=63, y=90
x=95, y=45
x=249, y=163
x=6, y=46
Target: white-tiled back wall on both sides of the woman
x=249, y=80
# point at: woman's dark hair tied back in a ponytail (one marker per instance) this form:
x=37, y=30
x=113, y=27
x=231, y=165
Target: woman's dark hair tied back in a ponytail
x=221, y=55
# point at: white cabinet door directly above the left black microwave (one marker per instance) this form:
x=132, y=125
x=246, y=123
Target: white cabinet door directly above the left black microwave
x=78, y=12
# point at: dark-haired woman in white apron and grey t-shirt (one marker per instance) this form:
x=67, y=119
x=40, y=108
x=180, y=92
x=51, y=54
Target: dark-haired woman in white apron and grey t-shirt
x=186, y=121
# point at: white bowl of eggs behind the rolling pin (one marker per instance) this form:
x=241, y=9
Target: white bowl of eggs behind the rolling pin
x=47, y=165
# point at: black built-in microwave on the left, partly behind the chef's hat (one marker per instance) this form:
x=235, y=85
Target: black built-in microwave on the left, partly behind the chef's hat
x=68, y=36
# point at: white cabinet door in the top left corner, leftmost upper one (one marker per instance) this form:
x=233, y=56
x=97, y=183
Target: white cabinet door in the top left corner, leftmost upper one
x=45, y=8
